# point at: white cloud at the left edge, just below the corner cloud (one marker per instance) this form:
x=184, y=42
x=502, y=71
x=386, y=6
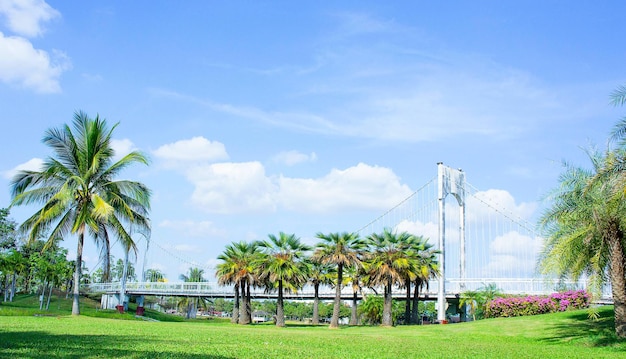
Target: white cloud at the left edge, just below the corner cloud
x=23, y=65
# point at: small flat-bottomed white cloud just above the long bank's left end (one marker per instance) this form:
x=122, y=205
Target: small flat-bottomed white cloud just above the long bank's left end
x=192, y=150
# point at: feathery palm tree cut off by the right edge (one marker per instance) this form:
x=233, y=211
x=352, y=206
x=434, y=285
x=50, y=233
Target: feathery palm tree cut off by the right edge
x=584, y=227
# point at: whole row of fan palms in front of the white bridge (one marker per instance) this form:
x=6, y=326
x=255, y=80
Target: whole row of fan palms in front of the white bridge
x=284, y=263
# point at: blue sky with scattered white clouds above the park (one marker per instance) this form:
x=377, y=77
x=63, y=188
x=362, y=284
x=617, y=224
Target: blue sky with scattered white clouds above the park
x=304, y=117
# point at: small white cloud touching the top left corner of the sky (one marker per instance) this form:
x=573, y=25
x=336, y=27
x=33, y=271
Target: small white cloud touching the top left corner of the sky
x=25, y=17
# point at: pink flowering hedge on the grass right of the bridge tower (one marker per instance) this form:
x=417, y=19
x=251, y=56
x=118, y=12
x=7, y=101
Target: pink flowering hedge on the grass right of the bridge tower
x=532, y=305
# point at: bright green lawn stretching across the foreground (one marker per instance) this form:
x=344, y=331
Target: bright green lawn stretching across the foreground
x=562, y=335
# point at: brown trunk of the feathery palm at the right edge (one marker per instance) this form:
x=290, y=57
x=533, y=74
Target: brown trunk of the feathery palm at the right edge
x=618, y=281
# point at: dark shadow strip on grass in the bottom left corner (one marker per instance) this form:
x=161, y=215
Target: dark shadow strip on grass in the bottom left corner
x=39, y=344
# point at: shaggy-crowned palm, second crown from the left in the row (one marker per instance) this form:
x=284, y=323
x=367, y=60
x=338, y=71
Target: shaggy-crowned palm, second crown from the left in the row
x=282, y=267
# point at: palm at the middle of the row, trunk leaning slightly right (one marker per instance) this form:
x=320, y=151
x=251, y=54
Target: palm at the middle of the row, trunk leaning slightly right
x=340, y=250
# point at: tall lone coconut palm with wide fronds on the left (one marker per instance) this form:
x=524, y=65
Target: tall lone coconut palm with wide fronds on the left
x=79, y=192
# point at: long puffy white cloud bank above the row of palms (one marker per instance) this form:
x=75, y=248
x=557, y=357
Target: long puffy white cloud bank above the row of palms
x=230, y=187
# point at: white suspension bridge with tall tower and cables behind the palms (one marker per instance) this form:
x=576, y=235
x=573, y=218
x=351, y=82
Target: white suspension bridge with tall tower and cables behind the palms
x=483, y=237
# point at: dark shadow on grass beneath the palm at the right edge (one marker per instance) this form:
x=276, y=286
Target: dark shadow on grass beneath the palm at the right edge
x=600, y=332
